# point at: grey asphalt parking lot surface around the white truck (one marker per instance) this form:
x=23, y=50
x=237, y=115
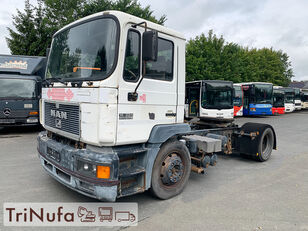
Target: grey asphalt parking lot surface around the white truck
x=236, y=194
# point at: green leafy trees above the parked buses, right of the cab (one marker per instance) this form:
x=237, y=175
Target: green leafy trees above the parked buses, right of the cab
x=211, y=57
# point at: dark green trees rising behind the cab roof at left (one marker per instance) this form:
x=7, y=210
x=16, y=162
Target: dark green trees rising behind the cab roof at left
x=33, y=28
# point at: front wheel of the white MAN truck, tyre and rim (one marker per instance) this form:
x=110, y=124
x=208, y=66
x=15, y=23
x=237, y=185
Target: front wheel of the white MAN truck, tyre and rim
x=171, y=170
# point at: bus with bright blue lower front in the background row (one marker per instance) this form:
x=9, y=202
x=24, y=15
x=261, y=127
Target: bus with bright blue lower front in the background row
x=258, y=98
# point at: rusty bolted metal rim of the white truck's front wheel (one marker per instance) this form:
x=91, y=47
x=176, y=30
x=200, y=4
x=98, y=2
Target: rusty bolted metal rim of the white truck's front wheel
x=172, y=170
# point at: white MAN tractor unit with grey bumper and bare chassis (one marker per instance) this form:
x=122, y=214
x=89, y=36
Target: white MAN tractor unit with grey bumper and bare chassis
x=113, y=109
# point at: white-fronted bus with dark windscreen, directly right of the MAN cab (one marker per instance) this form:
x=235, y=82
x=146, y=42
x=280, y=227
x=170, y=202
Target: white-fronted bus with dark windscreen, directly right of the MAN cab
x=209, y=100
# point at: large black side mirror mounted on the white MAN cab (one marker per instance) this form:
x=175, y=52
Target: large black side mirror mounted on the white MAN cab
x=149, y=45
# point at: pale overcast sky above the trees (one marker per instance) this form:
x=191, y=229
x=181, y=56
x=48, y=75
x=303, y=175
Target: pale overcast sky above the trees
x=281, y=24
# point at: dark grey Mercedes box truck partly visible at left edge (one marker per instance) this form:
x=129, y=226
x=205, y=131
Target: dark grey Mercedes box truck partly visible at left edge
x=20, y=89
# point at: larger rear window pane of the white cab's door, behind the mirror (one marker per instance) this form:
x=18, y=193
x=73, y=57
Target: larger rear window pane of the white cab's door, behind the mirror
x=162, y=69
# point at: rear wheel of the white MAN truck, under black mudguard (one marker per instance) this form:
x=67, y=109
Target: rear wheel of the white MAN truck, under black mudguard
x=266, y=145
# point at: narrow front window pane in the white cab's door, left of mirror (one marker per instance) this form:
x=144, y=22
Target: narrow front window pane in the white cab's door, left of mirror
x=132, y=57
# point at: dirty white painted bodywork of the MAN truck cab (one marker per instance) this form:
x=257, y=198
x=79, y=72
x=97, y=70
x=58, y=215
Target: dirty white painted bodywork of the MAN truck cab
x=102, y=103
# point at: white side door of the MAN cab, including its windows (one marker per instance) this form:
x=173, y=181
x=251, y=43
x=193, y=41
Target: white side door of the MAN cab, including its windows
x=157, y=96
